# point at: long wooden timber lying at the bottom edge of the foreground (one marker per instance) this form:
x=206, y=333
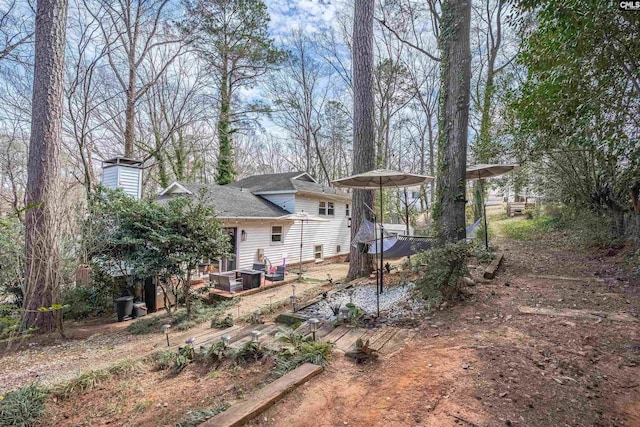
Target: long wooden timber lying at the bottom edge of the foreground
x=254, y=405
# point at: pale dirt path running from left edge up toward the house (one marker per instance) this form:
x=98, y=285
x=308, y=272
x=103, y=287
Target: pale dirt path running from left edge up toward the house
x=95, y=345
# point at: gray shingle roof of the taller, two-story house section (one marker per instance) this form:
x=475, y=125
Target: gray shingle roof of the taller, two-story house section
x=284, y=182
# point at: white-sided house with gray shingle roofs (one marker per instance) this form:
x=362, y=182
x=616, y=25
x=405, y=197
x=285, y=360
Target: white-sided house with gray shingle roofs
x=254, y=211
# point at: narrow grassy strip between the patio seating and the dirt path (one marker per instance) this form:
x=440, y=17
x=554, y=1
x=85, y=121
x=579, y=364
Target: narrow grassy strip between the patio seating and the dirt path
x=199, y=313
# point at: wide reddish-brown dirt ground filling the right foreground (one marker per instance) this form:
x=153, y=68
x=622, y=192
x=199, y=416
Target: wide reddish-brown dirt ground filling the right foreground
x=486, y=364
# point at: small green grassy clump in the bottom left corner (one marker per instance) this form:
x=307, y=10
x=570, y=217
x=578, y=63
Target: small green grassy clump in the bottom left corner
x=23, y=407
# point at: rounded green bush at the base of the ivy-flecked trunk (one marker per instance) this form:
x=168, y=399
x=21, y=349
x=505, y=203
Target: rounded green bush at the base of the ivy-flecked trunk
x=440, y=271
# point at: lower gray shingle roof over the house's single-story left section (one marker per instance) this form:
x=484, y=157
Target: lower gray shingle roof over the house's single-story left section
x=234, y=202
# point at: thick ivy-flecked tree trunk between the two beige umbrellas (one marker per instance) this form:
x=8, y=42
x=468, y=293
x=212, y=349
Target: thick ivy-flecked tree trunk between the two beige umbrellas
x=454, y=117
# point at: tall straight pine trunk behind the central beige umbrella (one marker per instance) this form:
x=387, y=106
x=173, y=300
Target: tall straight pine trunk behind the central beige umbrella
x=363, y=127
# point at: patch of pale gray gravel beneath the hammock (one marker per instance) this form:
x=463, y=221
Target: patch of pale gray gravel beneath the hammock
x=393, y=301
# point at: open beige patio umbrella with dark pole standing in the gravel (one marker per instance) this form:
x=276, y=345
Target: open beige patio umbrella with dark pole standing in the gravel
x=376, y=180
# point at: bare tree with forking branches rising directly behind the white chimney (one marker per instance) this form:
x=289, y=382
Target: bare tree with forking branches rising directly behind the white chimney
x=132, y=31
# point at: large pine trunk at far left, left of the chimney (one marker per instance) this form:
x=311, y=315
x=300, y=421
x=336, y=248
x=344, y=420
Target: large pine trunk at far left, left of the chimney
x=42, y=238
